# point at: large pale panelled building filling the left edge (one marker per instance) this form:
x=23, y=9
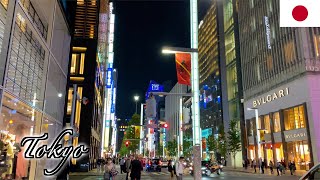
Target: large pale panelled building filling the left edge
x=34, y=51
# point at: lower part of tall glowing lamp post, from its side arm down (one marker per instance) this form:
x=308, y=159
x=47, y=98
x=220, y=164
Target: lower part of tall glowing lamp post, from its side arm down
x=195, y=103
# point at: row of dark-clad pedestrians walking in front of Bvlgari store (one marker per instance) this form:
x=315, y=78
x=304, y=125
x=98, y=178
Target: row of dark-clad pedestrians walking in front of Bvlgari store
x=261, y=165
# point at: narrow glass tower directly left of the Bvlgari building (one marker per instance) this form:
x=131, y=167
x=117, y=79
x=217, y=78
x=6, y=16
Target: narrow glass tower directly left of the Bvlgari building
x=230, y=66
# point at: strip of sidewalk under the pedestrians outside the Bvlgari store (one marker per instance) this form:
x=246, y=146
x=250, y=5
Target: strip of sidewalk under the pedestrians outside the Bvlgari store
x=298, y=173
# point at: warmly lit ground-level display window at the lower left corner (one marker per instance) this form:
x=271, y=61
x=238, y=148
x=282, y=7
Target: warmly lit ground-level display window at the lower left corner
x=17, y=120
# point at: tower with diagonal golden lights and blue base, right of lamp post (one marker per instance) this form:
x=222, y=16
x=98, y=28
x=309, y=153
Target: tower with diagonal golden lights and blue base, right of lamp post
x=209, y=72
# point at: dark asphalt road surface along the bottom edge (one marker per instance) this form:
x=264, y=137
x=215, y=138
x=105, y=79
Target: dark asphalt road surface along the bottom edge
x=164, y=175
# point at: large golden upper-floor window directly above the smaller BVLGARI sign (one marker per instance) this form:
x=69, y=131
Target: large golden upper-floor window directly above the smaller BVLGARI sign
x=294, y=118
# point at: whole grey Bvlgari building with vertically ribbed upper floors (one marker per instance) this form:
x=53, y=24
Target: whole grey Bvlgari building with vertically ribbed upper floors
x=281, y=82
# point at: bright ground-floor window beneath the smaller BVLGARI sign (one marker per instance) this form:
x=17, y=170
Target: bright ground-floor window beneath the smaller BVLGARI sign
x=299, y=153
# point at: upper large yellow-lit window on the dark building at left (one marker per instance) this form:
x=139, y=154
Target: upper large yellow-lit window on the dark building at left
x=77, y=63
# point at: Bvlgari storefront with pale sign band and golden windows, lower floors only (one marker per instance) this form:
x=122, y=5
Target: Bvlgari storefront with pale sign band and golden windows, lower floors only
x=281, y=125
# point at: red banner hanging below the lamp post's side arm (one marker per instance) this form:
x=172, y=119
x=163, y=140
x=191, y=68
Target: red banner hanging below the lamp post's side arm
x=183, y=66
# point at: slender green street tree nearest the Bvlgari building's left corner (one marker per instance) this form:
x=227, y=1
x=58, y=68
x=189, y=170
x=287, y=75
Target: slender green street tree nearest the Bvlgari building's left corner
x=234, y=139
